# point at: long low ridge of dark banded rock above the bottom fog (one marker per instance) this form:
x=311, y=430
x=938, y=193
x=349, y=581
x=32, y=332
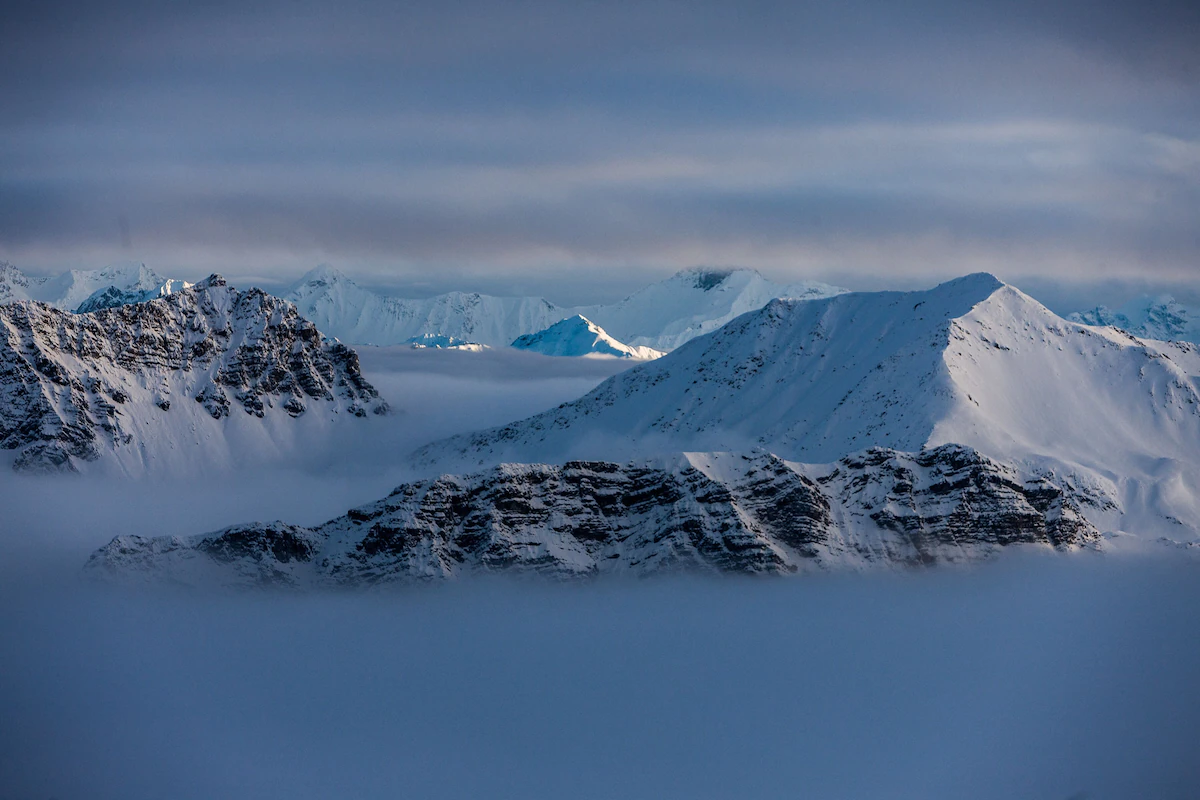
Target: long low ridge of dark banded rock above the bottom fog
x=710, y=513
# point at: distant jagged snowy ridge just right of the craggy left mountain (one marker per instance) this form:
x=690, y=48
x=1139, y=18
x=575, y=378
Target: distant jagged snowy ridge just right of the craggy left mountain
x=344, y=310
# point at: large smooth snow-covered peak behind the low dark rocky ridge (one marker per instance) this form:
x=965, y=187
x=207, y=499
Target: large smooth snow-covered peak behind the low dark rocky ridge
x=973, y=362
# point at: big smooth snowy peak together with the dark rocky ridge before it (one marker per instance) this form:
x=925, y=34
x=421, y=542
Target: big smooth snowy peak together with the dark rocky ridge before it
x=865, y=429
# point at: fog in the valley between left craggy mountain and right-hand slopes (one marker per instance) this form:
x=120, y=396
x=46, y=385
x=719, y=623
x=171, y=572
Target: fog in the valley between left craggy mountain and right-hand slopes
x=435, y=394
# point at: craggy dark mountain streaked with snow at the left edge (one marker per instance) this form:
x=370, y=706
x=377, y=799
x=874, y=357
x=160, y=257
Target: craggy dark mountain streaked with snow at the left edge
x=171, y=383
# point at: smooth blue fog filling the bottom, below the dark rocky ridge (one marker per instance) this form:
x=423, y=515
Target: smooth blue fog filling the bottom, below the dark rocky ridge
x=1031, y=678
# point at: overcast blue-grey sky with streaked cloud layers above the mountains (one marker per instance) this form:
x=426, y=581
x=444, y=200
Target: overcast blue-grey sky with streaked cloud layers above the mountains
x=573, y=149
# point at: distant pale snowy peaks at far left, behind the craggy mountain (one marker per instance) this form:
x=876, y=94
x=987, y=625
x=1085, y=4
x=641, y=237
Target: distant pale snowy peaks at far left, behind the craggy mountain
x=87, y=290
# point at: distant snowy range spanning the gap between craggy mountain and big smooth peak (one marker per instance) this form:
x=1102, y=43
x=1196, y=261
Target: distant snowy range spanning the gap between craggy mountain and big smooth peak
x=662, y=316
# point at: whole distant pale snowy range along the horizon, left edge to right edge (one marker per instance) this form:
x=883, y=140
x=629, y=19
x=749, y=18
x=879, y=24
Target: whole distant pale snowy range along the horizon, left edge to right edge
x=663, y=316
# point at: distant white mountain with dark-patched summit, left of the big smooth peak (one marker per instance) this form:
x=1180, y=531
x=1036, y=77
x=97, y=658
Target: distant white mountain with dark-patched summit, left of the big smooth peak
x=693, y=303
